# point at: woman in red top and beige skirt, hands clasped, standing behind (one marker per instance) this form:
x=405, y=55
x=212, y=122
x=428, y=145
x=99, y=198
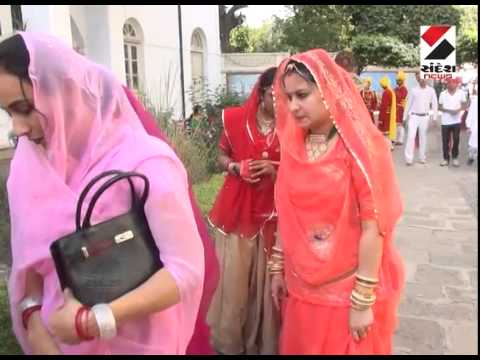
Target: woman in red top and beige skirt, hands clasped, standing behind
x=241, y=317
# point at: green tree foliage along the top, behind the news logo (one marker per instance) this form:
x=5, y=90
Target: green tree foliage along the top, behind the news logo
x=394, y=28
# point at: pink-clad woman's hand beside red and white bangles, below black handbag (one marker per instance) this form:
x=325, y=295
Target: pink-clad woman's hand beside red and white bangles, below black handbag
x=62, y=320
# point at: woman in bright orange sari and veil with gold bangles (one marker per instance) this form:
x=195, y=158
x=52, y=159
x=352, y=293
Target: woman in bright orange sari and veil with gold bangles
x=338, y=202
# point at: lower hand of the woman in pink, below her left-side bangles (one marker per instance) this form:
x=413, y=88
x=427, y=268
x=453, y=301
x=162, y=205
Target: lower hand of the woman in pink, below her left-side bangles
x=38, y=337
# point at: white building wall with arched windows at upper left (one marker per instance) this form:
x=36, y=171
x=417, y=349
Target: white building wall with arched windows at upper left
x=100, y=30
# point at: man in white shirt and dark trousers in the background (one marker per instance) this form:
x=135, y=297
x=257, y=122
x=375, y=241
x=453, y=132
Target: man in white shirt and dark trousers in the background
x=451, y=103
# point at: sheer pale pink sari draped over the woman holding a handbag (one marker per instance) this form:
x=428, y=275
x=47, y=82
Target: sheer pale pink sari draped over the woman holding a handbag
x=90, y=127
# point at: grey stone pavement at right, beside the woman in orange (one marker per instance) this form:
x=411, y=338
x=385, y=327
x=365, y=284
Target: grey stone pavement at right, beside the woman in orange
x=437, y=237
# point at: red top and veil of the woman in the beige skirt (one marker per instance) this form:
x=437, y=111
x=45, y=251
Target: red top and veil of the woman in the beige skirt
x=240, y=207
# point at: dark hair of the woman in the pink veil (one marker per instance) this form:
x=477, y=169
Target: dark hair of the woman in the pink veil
x=14, y=57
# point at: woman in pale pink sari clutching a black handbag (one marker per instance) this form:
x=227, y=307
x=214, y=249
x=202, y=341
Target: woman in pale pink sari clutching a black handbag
x=74, y=121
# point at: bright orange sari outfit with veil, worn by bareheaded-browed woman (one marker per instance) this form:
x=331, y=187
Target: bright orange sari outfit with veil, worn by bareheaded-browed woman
x=321, y=205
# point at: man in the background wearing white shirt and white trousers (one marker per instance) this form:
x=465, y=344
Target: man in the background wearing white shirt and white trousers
x=420, y=101
